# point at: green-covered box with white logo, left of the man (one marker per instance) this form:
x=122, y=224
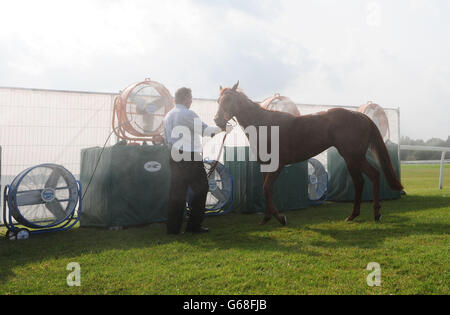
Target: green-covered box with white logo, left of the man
x=130, y=186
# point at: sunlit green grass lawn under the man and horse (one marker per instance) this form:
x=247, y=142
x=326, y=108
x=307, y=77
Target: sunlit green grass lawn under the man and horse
x=317, y=253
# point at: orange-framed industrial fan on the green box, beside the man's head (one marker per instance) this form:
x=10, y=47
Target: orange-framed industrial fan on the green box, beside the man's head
x=139, y=111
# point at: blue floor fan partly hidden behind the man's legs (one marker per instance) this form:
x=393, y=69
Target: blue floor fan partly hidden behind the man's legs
x=219, y=200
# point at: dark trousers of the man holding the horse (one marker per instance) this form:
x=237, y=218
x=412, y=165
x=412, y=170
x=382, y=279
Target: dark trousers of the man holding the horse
x=184, y=175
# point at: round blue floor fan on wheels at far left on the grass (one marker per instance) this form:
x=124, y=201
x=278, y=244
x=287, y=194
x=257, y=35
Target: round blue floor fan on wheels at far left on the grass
x=42, y=198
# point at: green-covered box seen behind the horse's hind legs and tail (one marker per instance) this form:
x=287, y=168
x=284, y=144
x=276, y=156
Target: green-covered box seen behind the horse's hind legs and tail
x=340, y=184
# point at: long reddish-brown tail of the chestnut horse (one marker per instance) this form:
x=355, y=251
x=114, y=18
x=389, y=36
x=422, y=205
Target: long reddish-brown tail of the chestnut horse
x=378, y=145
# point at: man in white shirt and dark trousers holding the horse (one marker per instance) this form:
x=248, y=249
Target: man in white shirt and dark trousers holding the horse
x=183, y=130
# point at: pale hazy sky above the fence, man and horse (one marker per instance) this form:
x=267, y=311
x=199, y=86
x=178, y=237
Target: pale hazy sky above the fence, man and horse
x=347, y=52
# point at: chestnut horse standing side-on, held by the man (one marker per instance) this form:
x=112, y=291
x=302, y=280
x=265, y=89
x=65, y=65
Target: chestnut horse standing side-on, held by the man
x=301, y=138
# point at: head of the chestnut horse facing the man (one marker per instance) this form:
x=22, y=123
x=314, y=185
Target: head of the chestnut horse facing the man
x=227, y=105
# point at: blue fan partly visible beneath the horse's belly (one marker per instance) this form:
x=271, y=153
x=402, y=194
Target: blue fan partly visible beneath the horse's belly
x=317, y=182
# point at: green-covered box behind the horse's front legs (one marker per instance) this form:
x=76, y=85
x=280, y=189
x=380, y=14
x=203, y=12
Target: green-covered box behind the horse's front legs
x=290, y=190
